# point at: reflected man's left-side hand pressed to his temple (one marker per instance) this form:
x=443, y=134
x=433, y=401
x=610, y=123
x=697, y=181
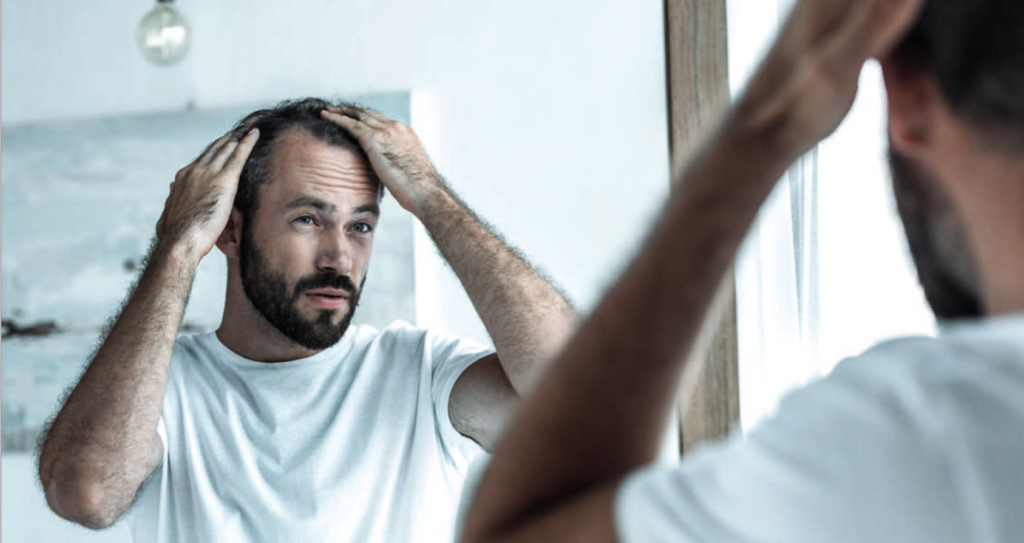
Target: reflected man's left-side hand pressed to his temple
x=203, y=195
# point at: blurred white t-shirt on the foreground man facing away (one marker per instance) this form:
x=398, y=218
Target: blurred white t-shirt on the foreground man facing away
x=916, y=441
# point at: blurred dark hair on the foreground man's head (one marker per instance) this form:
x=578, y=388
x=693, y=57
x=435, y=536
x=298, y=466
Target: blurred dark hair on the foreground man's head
x=975, y=51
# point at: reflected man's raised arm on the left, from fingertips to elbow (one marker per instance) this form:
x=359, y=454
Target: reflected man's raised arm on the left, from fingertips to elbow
x=104, y=443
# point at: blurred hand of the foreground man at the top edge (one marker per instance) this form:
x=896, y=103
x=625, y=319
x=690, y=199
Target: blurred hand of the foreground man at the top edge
x=808, y=82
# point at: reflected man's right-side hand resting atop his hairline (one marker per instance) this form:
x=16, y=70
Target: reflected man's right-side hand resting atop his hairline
x=395, y=153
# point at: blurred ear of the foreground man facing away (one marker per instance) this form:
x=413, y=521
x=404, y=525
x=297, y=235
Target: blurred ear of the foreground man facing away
x=913, y=98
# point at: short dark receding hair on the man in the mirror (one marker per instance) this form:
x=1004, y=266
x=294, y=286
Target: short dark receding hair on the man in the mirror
x=303, y=114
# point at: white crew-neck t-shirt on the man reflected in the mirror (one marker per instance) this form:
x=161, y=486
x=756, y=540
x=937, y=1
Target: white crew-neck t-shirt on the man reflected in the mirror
x=354, y=444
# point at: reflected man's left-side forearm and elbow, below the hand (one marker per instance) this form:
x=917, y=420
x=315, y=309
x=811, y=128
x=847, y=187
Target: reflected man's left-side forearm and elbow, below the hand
x=104, y=442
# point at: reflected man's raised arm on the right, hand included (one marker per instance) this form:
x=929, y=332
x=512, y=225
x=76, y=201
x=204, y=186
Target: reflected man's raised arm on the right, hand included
x=527, y=317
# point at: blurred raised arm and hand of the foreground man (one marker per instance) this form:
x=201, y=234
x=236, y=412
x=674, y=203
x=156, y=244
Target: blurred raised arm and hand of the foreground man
x=600, y=411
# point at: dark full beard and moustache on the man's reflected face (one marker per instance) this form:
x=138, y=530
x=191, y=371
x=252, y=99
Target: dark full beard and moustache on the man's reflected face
x=270, y=294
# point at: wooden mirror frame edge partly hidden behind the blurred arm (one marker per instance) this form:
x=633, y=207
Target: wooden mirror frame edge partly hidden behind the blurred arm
x=699, y=94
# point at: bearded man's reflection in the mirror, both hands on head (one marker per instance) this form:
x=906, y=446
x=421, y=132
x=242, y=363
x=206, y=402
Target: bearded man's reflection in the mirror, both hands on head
x=287, y=425
